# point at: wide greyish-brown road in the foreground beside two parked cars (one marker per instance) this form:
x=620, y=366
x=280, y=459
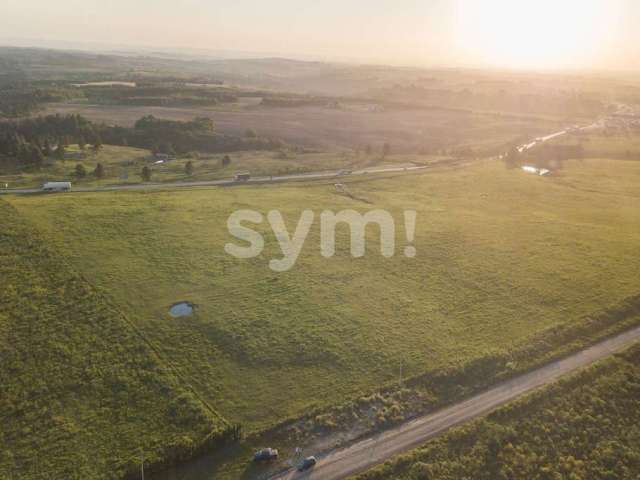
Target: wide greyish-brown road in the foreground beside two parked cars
x=375, y=450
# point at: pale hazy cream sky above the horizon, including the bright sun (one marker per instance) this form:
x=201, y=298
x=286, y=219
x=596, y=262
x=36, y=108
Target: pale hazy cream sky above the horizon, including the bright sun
x=508, y=33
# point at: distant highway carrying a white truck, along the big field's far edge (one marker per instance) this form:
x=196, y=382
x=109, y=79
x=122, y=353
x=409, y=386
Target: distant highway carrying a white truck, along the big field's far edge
x=230, y=182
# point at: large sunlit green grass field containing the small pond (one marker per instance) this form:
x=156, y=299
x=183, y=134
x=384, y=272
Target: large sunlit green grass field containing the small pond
x=502, y=256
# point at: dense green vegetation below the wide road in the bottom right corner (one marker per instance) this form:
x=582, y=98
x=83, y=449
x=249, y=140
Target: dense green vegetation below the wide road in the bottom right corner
x=583, y=427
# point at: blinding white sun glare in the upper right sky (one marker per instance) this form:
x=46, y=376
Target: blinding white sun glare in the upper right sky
x=545, y=33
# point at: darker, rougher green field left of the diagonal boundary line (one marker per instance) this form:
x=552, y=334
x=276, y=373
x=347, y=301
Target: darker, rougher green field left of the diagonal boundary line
x=82, y=393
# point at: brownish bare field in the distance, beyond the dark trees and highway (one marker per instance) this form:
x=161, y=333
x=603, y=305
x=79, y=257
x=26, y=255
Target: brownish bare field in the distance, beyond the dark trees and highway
x=407, y=129
